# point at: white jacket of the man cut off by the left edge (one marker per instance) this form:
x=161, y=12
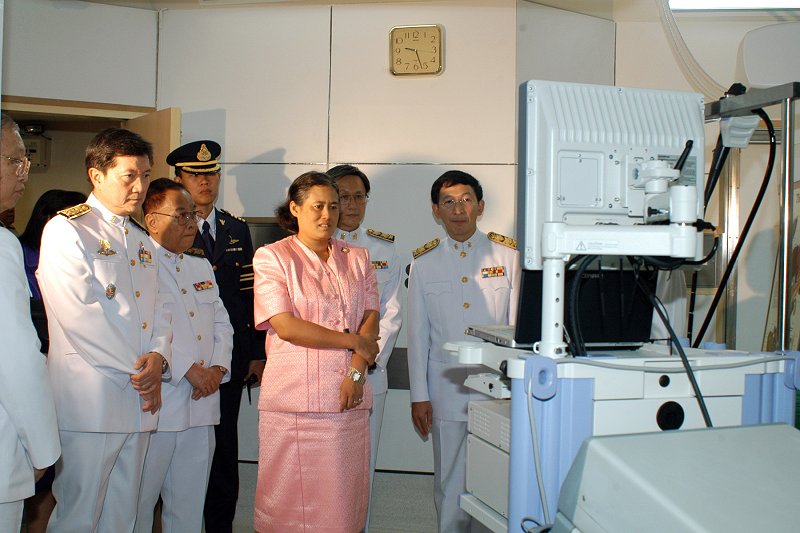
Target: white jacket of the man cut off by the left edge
x=28, y=430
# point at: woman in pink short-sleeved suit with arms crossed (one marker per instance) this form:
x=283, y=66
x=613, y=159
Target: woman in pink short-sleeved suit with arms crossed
x=317, y=298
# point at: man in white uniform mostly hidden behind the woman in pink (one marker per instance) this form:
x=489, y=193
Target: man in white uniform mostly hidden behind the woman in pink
x=354, y=190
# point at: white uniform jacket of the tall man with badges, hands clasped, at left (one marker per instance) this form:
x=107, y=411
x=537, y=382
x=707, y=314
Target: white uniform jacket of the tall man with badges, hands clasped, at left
x=99, y=280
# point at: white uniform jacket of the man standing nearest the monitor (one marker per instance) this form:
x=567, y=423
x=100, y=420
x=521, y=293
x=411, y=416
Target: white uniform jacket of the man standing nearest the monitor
x=453, y=285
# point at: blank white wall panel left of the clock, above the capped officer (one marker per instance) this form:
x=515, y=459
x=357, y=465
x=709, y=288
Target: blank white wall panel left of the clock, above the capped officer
x=254, y=78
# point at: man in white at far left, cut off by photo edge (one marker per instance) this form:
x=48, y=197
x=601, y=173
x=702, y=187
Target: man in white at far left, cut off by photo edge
x=28, y=430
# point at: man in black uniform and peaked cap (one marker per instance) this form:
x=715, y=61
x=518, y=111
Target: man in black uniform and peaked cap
x=225, y=241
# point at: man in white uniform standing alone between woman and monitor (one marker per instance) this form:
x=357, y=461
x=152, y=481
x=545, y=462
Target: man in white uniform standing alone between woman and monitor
x=467, y=277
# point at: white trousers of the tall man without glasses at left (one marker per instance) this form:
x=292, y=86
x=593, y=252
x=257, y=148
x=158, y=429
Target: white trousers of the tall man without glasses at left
x=97, y=482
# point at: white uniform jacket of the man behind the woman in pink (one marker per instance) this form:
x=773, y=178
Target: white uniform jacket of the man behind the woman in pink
x=383, y=255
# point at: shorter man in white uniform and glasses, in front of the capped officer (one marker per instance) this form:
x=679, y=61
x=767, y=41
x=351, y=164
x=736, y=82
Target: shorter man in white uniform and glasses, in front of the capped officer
x=179, y=457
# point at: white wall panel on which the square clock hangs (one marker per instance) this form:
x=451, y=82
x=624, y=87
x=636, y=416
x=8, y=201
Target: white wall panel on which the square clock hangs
x=463, y=115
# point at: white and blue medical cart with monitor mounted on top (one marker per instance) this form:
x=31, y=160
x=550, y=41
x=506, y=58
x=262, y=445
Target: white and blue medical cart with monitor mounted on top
x=597, y=177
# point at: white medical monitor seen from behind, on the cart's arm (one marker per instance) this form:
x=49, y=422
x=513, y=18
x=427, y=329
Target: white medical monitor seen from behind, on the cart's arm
x=582, y=150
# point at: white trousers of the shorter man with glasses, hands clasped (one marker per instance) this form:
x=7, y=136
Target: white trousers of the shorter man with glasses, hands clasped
x=177, y=467
